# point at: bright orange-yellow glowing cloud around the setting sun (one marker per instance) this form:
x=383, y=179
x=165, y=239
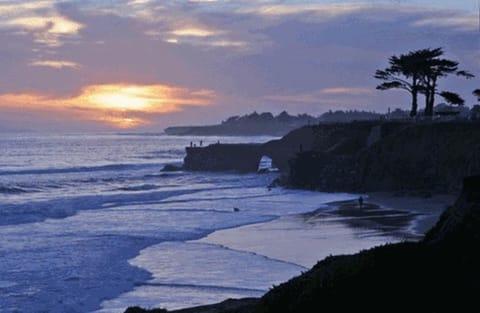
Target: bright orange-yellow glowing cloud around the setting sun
x=117, y=105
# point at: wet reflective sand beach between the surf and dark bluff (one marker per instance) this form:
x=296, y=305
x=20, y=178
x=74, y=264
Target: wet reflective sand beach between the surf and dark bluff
x=339, y=228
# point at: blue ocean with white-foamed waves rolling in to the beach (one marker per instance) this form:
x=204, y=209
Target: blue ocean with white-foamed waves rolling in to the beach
x=89, y=223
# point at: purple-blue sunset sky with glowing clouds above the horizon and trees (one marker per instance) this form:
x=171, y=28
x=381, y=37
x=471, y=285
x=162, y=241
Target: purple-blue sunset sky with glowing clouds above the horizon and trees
x=145, y=65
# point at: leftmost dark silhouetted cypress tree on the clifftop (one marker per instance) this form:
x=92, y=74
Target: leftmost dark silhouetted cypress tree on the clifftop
x=404, y=73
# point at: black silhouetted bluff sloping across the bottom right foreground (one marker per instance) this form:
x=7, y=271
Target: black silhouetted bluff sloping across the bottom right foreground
x=441, y=273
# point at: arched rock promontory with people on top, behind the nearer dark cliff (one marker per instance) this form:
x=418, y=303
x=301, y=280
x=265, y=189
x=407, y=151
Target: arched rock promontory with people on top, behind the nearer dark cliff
x=335, y=139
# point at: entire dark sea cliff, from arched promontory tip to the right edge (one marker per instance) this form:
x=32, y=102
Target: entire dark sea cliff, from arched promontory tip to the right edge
x=360, y=156
